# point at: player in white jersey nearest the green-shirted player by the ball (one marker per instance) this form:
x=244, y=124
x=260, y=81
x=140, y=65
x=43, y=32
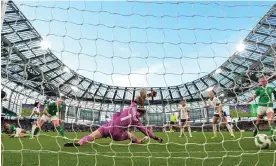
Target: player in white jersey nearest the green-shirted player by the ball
x=214, y=103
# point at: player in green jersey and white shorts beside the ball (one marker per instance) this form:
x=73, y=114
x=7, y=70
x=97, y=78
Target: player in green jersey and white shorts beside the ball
x=265, y=105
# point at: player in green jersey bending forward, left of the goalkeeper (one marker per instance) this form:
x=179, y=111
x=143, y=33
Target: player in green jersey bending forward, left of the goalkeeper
x=52, y=111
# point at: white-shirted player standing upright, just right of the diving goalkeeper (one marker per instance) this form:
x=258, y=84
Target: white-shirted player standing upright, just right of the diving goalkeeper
x=184, y=117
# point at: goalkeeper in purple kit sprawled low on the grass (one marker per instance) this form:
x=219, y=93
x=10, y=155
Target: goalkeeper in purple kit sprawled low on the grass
x=117, y=129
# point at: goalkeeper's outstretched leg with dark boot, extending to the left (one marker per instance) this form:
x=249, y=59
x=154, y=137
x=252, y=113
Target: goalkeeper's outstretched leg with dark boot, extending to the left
x=94, y=135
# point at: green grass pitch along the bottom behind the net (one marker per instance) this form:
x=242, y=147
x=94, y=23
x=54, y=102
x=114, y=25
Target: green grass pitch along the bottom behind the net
x=48, y=150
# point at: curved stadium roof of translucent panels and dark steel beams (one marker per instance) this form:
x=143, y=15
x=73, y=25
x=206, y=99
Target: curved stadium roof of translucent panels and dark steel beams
x=26, y=63
